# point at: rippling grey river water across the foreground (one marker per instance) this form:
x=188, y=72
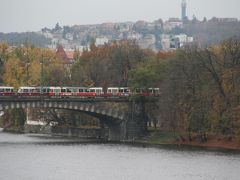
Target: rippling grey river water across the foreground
x=38, y=157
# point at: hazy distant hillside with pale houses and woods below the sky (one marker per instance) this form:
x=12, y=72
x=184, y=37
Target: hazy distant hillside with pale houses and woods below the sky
x=204, y=32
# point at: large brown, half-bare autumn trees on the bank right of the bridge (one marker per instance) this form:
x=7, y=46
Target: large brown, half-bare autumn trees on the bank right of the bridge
x=200, y=93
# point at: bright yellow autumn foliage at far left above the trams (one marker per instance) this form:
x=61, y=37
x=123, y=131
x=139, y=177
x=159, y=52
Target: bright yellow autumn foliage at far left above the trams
x=22, y=66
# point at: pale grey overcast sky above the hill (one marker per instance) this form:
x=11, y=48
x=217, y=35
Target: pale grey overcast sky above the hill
x=32, y=15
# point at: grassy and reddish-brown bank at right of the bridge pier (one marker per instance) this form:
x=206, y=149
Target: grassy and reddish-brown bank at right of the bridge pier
x=166, y=138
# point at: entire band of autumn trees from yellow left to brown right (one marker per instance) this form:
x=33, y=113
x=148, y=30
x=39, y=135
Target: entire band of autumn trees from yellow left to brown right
x=200, y=87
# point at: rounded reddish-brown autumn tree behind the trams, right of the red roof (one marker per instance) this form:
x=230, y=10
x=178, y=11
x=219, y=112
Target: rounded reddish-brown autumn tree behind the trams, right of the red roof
x=109, y=65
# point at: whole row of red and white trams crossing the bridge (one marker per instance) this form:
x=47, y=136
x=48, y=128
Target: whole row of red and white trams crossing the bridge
x=74, y=92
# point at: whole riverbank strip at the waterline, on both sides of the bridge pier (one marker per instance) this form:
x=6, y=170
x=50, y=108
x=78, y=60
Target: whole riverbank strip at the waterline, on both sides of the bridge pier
x=153, y=138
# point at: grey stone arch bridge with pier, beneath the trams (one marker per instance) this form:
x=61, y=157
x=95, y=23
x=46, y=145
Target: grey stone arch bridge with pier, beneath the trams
x=125, y=119
